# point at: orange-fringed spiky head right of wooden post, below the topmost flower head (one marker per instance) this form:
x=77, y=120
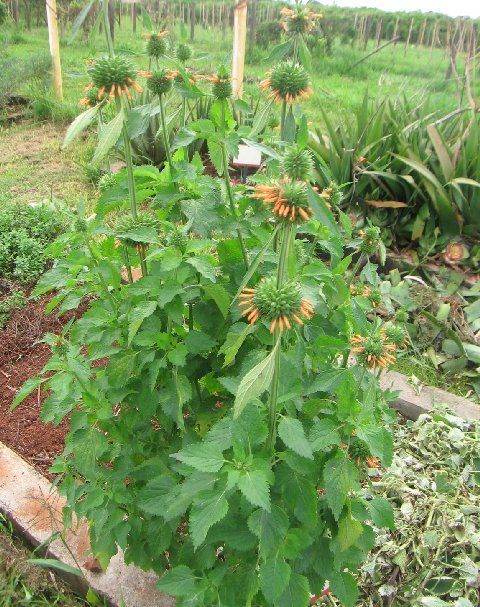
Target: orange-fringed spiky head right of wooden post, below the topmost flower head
x=287, y=82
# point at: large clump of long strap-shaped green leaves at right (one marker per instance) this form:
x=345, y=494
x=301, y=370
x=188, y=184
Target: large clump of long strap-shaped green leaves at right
x=423, y=182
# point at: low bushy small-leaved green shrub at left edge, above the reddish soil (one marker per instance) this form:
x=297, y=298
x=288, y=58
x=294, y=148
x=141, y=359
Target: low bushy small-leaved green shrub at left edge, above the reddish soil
x=25, y=231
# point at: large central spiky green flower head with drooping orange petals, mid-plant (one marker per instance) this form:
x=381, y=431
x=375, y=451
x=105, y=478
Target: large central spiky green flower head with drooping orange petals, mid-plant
x=280, y=306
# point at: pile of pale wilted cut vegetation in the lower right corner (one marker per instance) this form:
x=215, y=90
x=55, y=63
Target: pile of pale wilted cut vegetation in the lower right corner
x=432, y=559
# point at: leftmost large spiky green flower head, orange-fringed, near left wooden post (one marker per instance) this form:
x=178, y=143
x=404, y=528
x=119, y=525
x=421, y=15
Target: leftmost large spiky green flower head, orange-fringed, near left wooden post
x=113, y=75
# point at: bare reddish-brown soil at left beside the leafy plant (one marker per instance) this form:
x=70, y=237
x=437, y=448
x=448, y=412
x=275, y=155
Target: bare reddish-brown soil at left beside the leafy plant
x=21, y=358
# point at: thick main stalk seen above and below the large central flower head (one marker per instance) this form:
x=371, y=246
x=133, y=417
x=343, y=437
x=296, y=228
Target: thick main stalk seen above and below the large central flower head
x=273, y=405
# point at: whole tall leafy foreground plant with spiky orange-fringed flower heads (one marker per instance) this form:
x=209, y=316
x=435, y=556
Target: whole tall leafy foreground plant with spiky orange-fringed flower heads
x=219, y=428
